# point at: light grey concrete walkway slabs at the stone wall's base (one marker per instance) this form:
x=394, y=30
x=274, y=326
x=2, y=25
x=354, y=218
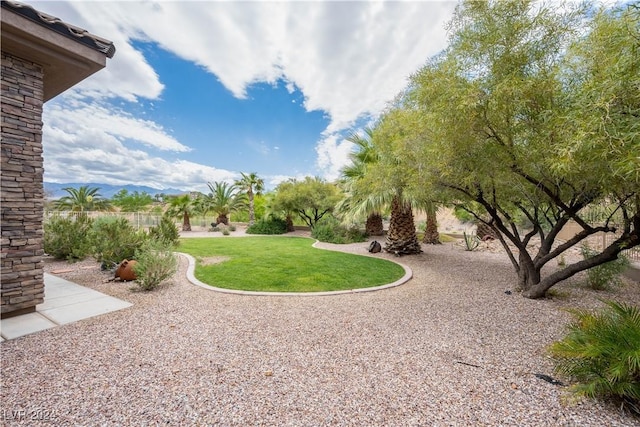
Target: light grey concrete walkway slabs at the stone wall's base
x=64, y=302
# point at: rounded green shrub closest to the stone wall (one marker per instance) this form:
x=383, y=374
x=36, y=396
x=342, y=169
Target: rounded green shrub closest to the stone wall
x=68, y=238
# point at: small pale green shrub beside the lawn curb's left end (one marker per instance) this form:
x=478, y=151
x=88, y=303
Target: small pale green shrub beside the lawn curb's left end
x=156, y=262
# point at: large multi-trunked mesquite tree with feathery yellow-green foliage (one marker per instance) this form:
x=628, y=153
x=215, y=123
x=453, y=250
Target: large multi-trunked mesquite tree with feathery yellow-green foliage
x=534, y=113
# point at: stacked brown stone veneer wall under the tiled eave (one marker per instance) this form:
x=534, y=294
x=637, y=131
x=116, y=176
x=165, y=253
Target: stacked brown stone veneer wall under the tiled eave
x=21, y=191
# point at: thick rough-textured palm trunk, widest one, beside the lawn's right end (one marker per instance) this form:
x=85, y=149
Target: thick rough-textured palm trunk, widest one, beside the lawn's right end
x=402, y=238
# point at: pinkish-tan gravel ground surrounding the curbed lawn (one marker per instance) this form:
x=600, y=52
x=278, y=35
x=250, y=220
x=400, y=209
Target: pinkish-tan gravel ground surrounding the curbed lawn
x=447, y=348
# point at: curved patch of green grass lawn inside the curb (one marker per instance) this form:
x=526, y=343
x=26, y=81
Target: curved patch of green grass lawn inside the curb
x=284, y=264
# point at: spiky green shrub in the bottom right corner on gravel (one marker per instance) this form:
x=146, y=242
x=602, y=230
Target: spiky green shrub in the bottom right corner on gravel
x=602, y=353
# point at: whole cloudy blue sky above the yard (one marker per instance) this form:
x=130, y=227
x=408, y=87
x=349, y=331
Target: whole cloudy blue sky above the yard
x=200, y=91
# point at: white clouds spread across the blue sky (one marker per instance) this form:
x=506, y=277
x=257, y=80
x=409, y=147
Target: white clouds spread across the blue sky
x=347, y=58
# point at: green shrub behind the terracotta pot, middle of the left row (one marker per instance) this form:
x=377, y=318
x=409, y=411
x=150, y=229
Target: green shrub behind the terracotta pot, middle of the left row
x=115, y=239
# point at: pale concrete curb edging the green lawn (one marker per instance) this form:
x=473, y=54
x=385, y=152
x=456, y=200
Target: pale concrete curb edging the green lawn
x=408, y=274
